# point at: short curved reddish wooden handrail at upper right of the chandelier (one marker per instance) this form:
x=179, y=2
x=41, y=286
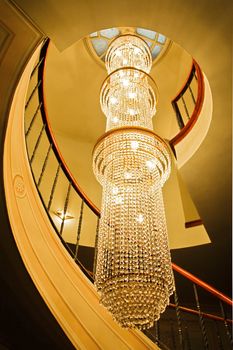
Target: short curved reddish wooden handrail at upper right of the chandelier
x=198, y=106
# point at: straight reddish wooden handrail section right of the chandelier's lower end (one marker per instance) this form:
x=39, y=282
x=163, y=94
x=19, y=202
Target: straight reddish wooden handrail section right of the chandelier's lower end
x=202, y=284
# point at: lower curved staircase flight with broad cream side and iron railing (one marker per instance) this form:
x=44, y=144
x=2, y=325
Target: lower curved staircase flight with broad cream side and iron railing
x=41, y=182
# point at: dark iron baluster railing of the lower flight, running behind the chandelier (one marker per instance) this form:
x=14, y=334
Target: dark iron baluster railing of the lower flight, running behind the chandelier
x=205, y=324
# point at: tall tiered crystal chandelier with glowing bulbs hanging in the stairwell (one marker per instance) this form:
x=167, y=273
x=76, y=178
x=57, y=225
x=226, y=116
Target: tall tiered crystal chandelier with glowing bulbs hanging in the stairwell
x=133, y=272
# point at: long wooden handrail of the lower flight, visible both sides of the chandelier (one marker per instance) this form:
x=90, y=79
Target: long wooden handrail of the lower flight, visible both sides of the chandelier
x=89, y=203
